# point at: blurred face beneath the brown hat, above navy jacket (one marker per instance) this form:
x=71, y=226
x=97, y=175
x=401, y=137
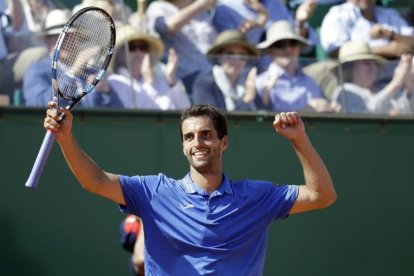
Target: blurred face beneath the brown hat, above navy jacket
x=233, y=60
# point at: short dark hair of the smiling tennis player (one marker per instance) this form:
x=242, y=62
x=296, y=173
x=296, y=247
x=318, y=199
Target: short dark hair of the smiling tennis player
x=215, y=115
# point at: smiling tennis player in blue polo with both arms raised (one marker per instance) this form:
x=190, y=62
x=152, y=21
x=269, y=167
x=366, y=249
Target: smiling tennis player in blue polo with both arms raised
x=204, y=223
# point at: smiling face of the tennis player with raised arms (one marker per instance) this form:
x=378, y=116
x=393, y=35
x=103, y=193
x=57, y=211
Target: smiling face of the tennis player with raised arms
x=201, y=144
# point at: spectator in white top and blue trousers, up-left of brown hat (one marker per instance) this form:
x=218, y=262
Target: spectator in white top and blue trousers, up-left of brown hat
x=186, y=27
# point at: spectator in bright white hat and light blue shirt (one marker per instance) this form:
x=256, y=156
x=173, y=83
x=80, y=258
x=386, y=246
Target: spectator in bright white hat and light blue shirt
x=284, y=86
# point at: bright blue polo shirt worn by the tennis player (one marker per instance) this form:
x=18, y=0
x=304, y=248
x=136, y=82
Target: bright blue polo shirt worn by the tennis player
x=191, y=232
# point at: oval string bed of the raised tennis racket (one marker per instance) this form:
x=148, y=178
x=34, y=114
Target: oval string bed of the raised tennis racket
x=83, y=53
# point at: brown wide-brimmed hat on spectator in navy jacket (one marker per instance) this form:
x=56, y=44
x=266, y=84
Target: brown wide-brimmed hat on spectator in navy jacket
x=231, y=38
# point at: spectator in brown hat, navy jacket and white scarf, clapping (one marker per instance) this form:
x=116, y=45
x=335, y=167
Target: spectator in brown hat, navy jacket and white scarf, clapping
x=230, y=85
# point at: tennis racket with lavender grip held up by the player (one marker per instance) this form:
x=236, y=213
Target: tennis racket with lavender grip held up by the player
x=81, y=55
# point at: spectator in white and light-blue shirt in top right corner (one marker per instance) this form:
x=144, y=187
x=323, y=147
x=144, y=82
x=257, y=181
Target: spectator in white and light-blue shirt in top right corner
x=384, y=29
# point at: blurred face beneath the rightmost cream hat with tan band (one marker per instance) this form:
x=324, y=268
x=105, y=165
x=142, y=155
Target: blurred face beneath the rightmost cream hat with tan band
x=365, y=73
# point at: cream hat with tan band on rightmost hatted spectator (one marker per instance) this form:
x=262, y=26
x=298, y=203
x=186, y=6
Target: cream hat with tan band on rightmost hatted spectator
x=354, y=51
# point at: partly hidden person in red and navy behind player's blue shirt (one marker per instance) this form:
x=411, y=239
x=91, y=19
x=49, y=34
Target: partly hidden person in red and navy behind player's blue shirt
x=132, y=240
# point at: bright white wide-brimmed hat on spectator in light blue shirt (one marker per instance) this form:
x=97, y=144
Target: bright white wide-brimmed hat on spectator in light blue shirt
x=281, y=30
